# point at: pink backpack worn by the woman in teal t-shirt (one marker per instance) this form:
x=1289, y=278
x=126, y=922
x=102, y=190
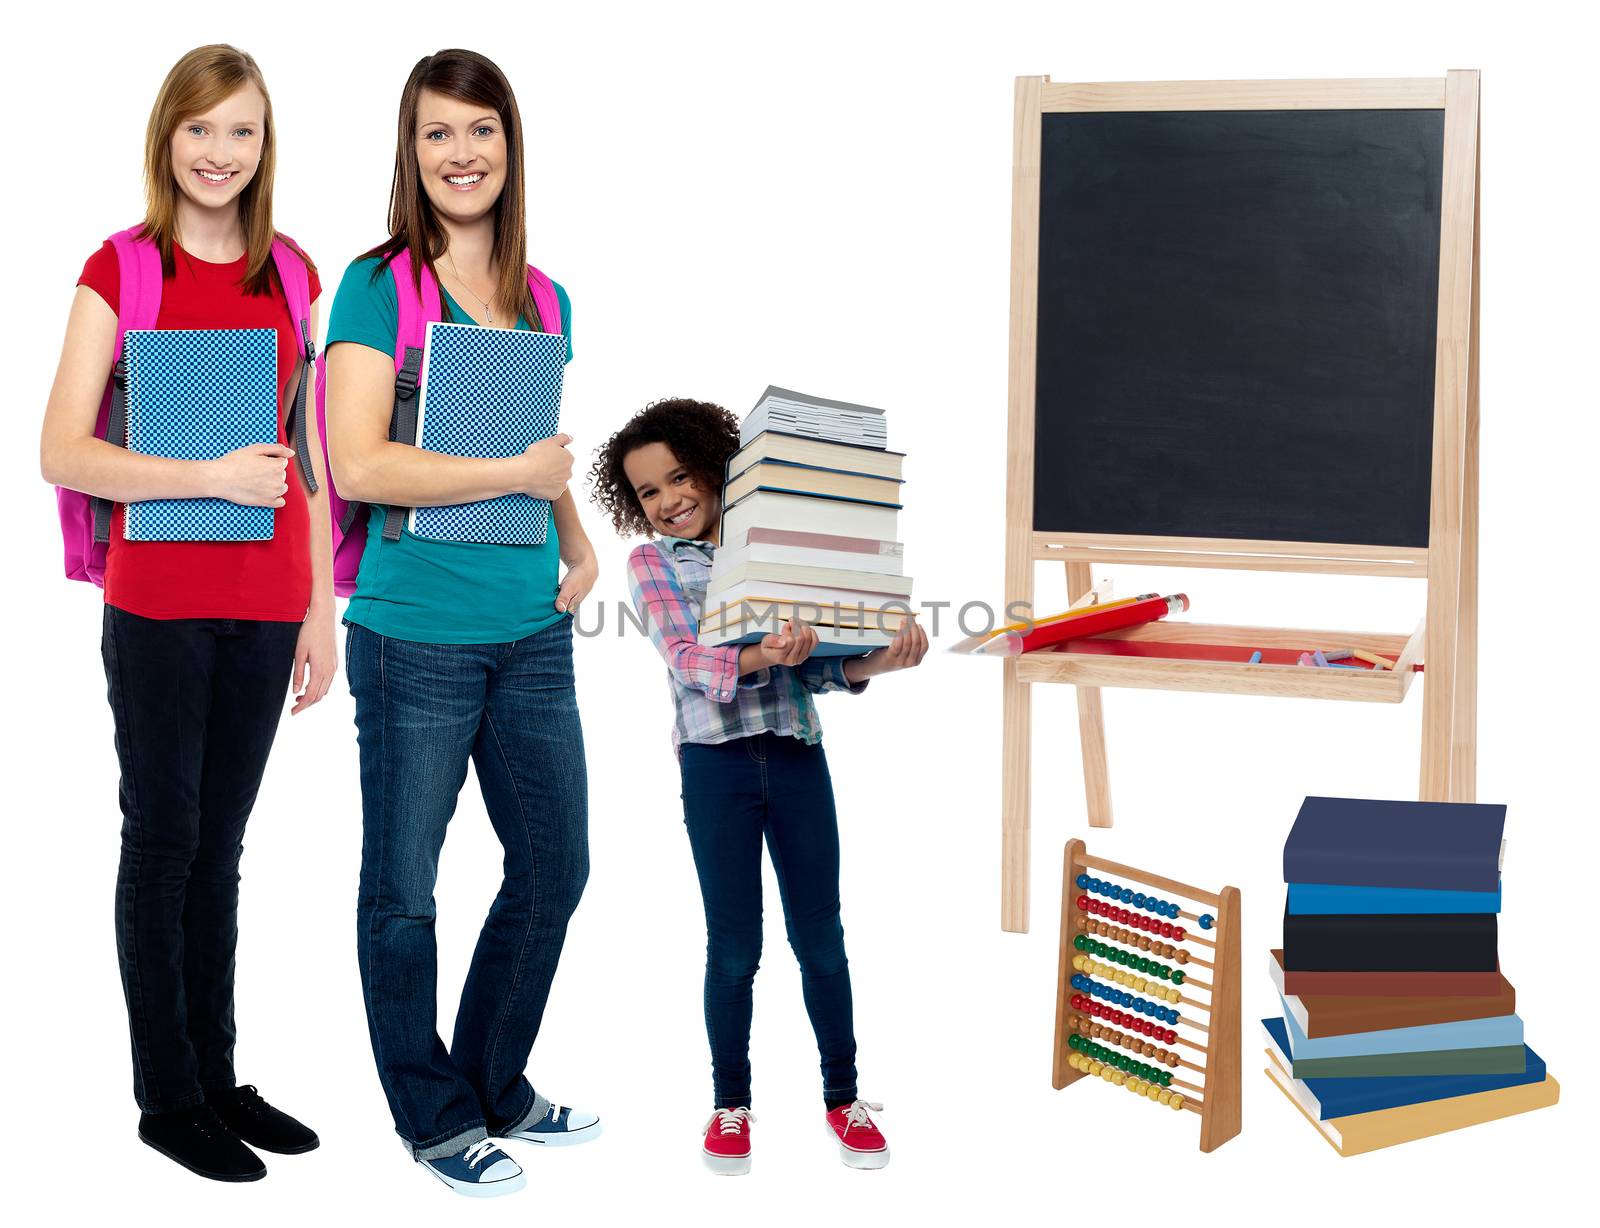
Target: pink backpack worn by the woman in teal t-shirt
x=417, y=314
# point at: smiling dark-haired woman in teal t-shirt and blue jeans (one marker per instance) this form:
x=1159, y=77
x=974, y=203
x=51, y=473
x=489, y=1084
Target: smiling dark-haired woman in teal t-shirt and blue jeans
x=460, y=653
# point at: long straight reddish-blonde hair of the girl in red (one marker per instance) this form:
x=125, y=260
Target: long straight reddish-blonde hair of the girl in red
x=198, y=82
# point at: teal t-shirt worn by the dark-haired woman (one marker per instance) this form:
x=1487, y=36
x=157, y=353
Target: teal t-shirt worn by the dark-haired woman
x=426, y=591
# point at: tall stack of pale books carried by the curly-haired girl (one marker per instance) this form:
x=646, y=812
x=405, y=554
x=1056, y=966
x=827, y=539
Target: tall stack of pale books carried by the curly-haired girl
x=810, y=528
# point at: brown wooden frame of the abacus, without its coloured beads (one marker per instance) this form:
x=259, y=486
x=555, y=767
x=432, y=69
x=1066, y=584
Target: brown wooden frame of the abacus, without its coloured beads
x=1218, y=1088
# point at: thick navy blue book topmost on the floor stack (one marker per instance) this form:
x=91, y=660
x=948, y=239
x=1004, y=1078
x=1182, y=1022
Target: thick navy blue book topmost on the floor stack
x=1434, y=845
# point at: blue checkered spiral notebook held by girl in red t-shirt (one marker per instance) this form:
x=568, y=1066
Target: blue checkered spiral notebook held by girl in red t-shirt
x=196, y=394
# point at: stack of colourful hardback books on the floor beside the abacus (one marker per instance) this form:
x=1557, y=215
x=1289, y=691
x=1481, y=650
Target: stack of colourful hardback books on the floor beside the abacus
x=1398, y=1023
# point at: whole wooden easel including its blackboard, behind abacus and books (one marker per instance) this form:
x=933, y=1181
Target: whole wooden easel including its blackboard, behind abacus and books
x=1338, y=189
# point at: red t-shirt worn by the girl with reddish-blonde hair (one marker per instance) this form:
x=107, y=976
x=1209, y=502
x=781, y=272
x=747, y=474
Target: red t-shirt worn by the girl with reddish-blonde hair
x=268, y=581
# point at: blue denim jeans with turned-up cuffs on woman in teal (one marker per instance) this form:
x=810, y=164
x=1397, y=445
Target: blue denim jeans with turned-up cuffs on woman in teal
x=423, y=712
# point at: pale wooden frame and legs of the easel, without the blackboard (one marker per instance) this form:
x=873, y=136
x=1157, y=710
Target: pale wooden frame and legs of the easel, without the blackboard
x=1447, y=639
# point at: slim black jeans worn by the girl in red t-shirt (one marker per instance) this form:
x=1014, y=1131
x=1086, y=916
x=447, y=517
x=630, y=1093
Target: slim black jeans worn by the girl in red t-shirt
x=196, y=704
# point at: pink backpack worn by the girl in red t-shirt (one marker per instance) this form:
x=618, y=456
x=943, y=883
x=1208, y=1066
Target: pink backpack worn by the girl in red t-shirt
x=86, y=520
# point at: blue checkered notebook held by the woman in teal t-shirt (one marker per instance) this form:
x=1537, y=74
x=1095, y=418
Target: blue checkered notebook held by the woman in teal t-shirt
x=489, y=393
